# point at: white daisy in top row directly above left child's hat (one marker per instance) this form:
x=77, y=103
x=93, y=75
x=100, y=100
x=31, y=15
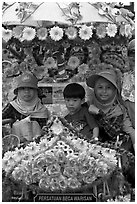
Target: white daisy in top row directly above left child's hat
x=28, y=34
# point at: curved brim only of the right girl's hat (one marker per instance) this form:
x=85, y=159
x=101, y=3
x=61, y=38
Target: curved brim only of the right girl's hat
x=92, y=79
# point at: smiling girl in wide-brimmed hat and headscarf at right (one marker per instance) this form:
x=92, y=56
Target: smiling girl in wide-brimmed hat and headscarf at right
x=112, y=116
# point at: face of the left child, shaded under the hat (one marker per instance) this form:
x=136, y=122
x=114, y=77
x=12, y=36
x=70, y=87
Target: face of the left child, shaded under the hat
x=27, y=94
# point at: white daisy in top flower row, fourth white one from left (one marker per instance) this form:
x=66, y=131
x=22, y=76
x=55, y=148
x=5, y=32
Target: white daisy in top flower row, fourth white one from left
x=86, y=32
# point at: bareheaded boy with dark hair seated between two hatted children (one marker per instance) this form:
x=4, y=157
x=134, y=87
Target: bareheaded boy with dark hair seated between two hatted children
x=79, y=117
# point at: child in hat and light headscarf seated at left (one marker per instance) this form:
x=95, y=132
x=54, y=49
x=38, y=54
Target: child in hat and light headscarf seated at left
x=26, y=105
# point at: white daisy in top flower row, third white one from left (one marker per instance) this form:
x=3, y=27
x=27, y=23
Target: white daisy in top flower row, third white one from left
x=56, y=33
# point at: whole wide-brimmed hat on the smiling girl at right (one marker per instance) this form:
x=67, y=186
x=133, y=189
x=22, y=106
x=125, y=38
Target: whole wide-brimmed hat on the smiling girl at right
x=107, y=74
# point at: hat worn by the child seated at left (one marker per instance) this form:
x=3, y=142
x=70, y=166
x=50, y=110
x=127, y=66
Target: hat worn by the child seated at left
x=27, y=79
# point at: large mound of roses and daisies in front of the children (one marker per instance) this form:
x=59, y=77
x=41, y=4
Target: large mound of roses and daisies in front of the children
x=61, y=161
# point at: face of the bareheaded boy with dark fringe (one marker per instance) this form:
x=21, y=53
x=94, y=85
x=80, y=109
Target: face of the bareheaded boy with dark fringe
x=73, y=104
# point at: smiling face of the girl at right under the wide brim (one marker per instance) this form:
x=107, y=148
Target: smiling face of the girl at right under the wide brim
x=104, y=90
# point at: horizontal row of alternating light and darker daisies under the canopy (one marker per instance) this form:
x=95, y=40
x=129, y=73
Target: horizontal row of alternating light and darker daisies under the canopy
x=57, y=33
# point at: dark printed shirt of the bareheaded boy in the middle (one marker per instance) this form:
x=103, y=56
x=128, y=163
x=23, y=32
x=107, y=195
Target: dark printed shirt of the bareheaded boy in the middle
x=82, y=121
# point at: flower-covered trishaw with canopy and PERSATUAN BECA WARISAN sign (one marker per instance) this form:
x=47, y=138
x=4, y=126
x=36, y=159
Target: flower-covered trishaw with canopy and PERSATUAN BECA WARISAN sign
x=62, y=43
